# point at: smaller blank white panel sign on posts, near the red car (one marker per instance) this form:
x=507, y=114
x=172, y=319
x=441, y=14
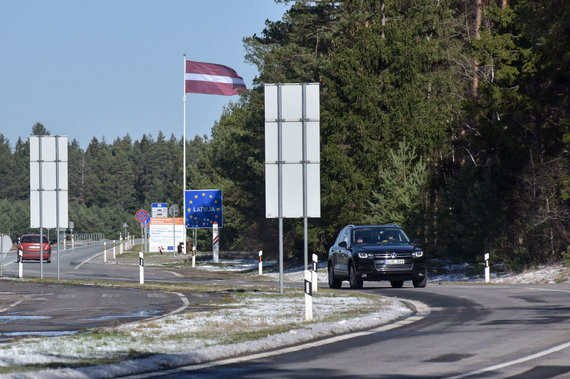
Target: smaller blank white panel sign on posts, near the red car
x=48, y=182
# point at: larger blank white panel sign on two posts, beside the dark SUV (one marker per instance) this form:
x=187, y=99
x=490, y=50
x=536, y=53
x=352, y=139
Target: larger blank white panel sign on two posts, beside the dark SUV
x=292, y=144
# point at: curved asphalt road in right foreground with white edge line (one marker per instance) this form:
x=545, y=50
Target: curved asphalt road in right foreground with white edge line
x=476, y=331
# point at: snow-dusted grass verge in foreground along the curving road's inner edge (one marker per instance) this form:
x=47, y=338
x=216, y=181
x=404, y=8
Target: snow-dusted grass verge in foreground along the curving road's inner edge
x=190, y=338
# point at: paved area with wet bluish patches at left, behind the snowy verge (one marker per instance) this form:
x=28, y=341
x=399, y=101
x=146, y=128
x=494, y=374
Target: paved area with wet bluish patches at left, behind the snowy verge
x=50, y=309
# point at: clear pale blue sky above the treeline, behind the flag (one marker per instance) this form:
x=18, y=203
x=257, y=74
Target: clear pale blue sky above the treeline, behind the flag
x=108, y=68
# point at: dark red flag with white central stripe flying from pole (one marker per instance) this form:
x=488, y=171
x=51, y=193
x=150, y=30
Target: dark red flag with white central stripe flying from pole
x=212, y=79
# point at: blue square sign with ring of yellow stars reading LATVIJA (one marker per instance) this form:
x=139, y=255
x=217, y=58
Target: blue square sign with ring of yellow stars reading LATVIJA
x=203, y=208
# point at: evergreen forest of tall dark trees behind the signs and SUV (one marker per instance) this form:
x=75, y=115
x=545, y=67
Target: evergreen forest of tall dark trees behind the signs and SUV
x=448, y=117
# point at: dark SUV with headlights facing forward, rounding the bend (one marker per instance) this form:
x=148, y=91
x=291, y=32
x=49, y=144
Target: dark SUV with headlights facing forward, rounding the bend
x=376, y=252
